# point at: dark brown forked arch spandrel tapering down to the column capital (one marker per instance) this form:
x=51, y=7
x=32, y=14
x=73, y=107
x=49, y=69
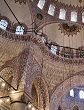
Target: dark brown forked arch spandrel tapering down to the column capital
x=17, y=66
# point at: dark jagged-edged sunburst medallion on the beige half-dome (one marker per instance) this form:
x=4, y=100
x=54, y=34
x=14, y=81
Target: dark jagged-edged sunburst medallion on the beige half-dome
x=71, y=29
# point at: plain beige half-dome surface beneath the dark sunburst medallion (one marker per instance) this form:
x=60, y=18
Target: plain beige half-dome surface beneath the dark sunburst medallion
x=58, y=35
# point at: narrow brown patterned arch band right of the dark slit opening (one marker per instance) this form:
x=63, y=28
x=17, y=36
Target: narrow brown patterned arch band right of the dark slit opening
x=42, y=92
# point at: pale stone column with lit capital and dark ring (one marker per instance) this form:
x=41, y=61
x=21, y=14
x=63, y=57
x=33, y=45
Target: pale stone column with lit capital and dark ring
x=18, y=101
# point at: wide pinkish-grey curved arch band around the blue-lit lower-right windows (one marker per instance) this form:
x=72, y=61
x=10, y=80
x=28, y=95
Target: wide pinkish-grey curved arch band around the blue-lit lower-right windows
x=64, y=88
